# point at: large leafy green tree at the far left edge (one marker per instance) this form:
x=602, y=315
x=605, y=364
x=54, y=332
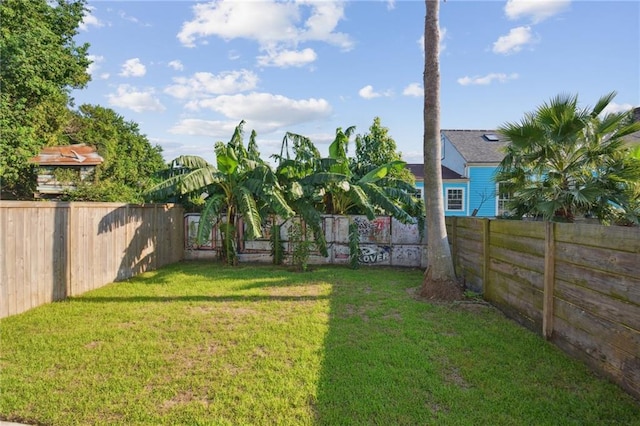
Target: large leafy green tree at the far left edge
x=40, y=64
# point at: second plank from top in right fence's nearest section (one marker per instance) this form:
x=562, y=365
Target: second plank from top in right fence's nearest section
x=622, y=263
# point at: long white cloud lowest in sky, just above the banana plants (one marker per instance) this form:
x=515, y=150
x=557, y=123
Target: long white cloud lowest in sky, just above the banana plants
x=265, y=110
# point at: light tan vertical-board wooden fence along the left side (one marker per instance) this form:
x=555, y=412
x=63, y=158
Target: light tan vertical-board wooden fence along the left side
x=52, y=250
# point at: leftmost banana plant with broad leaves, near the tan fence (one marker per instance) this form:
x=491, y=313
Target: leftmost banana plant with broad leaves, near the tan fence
x=242, y=186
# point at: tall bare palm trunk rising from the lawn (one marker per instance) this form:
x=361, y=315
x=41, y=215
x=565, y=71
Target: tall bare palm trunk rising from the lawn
x=440, y=273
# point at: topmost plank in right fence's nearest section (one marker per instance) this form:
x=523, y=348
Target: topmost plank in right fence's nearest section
x=618, y=238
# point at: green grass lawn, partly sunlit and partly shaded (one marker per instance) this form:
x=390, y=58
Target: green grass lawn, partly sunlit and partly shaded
x=202, y=343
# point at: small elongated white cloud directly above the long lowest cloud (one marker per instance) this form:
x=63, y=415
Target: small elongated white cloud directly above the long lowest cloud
x=203, y=84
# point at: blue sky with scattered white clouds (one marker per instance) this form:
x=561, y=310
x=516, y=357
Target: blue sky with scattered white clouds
x=189, y=71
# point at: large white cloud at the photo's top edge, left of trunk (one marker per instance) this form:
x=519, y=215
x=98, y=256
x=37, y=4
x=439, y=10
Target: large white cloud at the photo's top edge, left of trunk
x=270, y=23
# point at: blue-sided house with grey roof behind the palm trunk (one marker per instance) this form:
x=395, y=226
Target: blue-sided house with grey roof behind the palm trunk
x=470, y=159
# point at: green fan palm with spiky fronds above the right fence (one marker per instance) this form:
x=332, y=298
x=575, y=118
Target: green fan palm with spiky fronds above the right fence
x=564, y=161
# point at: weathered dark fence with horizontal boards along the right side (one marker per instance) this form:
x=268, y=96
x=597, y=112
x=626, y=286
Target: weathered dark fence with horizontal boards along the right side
x=576, y=284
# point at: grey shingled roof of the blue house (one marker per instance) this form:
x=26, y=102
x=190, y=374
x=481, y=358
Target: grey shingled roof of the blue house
x=473, y=146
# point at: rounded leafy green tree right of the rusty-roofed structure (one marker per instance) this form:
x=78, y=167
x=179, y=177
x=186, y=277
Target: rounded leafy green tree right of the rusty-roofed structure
x=130, y=161
